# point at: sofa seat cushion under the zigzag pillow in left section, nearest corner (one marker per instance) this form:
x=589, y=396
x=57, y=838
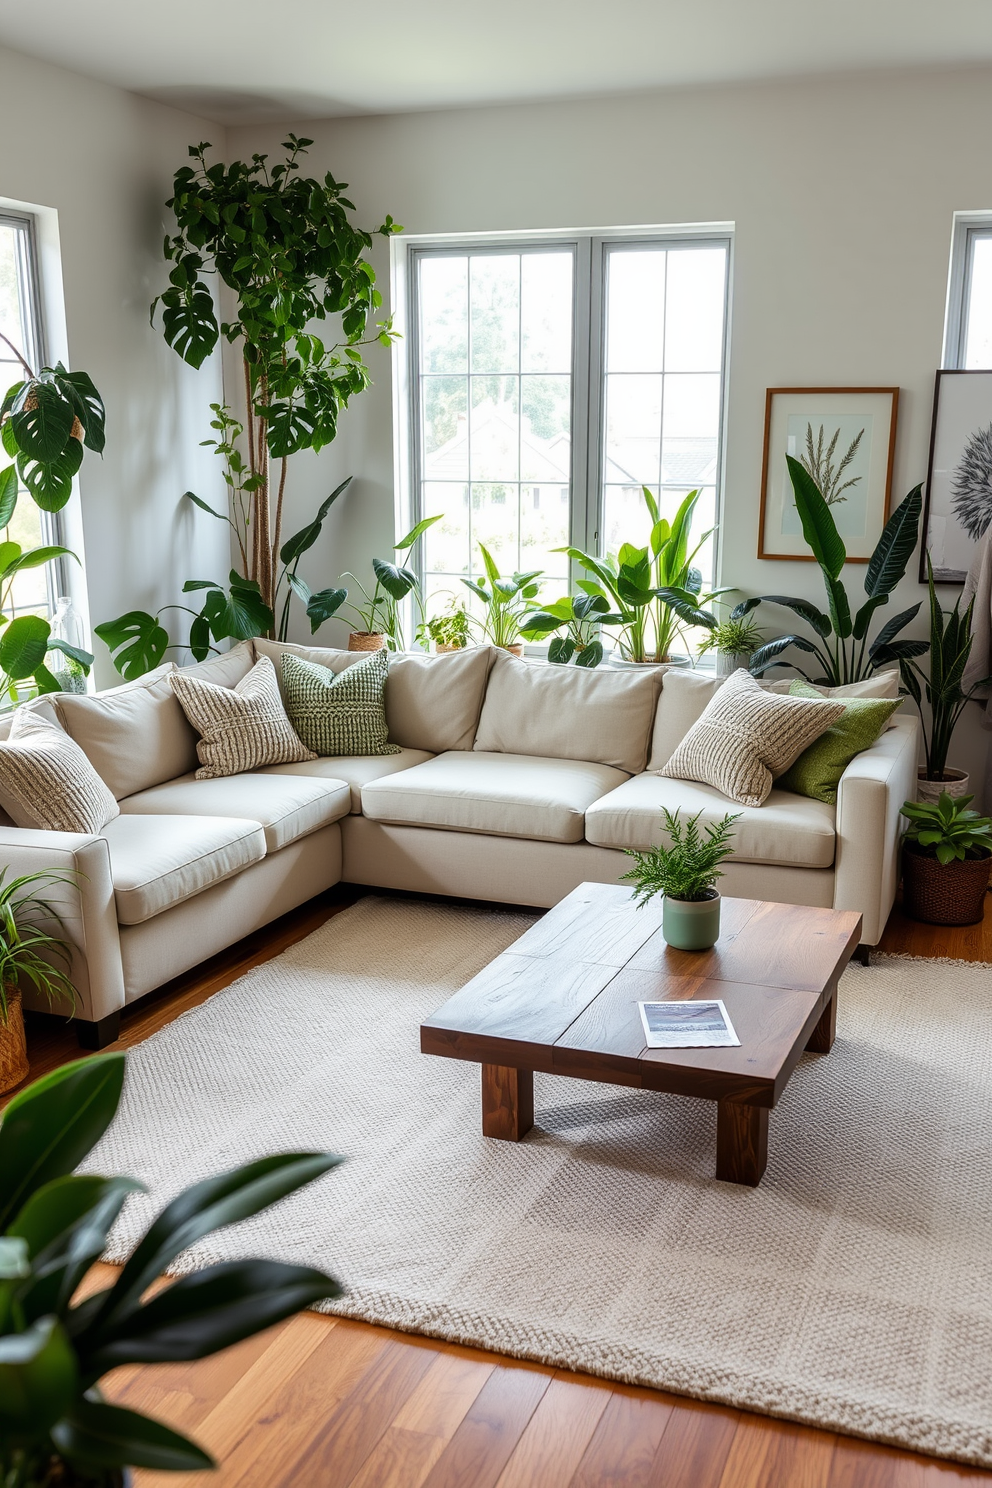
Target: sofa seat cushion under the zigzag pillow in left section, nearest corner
x=286, y=807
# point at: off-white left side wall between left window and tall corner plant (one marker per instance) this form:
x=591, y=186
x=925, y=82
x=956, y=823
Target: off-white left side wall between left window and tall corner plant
x=103, y=161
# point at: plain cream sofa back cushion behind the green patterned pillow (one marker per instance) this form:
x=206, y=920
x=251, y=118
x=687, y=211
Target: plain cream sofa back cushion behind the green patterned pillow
x=432, y=703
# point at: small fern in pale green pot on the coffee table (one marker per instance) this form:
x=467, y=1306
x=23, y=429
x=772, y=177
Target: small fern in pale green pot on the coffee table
x=686, y=874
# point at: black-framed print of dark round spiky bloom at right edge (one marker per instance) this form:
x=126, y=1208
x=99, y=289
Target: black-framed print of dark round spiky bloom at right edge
x=960, y=475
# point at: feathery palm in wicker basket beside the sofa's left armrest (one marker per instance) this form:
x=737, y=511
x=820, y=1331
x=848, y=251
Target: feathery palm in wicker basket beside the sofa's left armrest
x=30, y=956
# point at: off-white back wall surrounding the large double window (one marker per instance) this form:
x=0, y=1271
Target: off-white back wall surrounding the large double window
x=843, y=193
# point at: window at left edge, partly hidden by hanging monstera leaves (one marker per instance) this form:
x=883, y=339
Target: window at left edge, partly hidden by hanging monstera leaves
x=35, y=590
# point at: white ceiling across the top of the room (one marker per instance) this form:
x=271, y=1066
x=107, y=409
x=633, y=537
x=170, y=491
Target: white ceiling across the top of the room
x=254, y=60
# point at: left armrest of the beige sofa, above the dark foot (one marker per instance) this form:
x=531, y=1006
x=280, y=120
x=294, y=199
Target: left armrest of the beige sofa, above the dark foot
x=87, y=908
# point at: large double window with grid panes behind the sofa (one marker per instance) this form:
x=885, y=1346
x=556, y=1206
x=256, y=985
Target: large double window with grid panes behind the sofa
x=550, y=382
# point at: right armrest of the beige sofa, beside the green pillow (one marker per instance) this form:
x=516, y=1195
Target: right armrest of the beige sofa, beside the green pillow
x=869, y=825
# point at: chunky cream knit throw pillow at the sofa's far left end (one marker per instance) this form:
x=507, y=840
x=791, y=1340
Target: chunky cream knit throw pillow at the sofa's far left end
x=48, y=783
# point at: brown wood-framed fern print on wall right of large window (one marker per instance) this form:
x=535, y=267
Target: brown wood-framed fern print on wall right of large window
x=846, y=438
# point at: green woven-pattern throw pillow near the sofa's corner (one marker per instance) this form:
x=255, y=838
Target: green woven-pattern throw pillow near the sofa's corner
x=338, y=713
